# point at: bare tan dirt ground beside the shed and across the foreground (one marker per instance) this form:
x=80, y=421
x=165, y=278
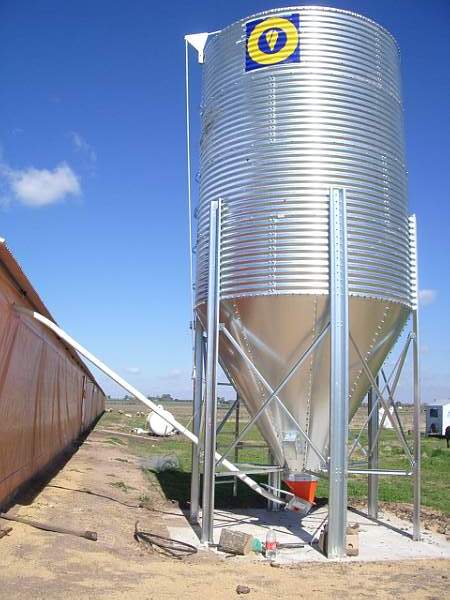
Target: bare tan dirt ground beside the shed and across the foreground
x=37, y=564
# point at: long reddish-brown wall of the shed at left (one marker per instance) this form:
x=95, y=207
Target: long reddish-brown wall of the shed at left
x=47, y=394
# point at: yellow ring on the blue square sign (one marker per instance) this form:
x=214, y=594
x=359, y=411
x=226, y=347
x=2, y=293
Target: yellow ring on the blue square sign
x=289, y=29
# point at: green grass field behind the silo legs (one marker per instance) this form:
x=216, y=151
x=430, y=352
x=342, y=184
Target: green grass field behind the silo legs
x=175, y=484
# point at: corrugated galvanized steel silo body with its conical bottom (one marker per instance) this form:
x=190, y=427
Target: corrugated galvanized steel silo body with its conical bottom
x=276, y=135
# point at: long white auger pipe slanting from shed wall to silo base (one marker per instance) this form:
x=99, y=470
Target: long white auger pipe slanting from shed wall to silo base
x=137, y=394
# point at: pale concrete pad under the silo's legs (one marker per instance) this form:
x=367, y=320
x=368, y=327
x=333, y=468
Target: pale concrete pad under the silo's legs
x=388, y=540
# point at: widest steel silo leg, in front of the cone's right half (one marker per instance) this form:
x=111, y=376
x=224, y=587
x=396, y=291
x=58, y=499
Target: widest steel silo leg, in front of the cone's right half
x=337, y=501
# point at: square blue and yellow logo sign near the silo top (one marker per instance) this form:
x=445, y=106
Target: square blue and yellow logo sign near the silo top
x=272, y=41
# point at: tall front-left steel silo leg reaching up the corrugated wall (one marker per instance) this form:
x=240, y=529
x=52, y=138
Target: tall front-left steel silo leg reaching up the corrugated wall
x=209, y=469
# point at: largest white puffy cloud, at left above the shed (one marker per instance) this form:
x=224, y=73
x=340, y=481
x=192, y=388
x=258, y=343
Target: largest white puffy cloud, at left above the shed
x=41, y=187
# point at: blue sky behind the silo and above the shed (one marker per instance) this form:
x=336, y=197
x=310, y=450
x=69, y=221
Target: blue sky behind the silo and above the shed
x=92, y=168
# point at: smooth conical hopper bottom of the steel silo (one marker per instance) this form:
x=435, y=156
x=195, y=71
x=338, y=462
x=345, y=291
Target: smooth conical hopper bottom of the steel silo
x=274, y=331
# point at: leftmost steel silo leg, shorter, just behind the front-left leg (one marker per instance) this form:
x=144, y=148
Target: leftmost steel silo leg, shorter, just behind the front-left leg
x=196, y=421
